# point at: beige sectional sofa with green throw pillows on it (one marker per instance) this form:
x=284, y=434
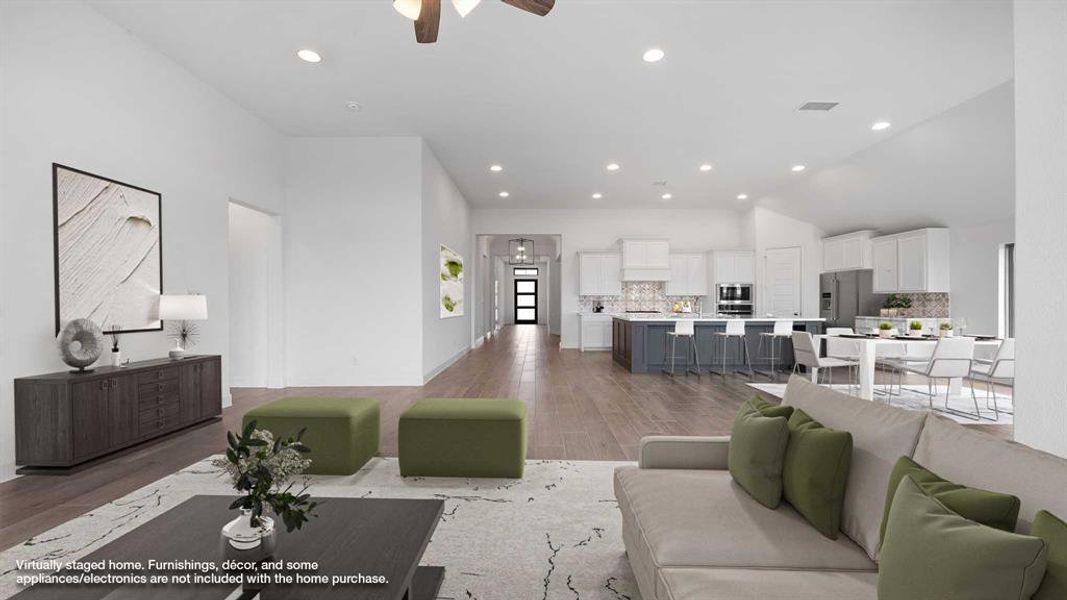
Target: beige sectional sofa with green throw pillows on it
x=692, y=533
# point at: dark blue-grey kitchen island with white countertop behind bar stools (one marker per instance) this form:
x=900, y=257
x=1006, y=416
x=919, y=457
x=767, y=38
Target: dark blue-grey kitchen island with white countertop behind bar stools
x=638, y=342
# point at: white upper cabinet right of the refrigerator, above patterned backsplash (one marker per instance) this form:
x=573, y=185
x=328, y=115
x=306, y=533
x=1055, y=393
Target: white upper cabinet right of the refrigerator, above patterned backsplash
x=912, y=262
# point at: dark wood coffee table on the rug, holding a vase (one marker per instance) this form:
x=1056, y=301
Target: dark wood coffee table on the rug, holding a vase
x=371, y=536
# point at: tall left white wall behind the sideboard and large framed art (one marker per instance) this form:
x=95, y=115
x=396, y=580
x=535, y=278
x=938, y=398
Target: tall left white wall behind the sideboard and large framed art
x=81, y=91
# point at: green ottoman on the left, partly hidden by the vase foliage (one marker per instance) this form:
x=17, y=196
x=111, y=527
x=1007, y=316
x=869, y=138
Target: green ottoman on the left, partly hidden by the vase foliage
x=342, y=433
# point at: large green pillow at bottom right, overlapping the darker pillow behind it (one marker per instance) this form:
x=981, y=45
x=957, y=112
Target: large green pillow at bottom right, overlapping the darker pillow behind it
x=932, y=552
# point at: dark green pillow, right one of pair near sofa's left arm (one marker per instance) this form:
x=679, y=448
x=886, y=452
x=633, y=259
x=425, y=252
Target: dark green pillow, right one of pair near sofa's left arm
x=816, y=472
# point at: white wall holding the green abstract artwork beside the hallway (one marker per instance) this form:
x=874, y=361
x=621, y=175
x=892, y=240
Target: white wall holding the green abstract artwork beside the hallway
x=447, y=219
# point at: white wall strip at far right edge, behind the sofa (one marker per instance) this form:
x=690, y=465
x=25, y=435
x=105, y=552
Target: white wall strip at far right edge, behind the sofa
x=1041, y=146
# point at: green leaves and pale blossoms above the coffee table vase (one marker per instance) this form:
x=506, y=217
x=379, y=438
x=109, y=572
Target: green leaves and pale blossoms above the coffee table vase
x=262, y=469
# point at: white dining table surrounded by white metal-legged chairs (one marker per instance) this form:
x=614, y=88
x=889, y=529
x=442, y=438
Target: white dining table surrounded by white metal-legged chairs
x=866, y=349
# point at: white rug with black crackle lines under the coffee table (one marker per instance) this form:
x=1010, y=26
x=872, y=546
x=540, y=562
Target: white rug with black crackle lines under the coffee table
x=555, y=534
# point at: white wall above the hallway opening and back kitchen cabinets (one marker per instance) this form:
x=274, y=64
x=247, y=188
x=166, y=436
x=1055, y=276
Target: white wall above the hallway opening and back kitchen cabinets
x=600, y=230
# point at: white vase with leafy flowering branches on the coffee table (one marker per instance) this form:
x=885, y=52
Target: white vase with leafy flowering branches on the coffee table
x=262, y=469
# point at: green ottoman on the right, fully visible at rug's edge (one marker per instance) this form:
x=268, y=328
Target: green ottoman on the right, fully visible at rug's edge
x=464, y=438
